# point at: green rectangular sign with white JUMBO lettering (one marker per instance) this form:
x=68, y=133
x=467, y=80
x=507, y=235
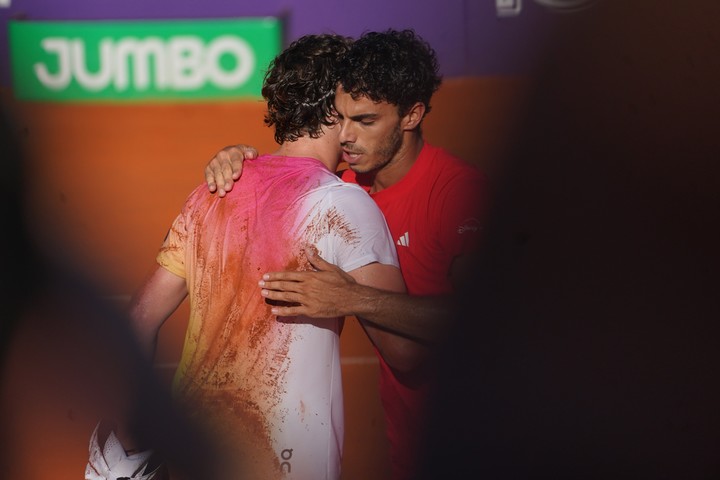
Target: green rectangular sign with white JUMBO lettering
x=142, y=60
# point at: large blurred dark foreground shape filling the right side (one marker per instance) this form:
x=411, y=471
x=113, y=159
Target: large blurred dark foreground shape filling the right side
x=587, y=341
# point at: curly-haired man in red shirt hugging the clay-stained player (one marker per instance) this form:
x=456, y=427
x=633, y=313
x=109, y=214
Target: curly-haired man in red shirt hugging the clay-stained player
x=433, y=205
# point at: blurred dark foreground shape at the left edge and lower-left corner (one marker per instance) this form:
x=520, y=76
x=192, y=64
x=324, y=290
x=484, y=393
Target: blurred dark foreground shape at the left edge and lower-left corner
x=65, y=344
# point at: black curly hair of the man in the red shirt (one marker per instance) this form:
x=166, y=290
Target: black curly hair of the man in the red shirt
x=393, y=66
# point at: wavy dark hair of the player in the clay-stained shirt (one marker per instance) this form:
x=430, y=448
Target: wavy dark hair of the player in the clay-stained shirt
x=300, y=85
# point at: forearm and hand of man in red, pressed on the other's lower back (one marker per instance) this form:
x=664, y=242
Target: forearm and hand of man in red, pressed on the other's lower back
x=330, y=292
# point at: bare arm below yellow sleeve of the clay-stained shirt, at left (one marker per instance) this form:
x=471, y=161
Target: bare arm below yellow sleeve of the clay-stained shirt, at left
x=156, y=299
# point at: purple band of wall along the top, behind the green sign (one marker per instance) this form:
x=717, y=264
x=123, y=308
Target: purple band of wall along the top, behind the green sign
x=469, y=37
